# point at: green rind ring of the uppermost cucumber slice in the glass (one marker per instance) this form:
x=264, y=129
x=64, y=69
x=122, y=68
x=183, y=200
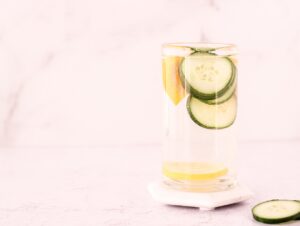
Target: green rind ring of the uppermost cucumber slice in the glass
x=202, y=95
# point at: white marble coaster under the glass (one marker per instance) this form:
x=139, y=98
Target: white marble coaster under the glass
x=205, y=201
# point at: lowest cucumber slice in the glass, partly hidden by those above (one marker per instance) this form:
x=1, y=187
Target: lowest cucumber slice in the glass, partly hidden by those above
x=209, y=116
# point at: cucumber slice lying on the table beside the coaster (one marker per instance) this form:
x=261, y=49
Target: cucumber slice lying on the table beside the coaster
x=276, y=211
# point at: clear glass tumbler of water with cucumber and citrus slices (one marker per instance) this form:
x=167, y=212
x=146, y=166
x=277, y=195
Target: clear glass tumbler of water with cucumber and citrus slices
x=200, y=84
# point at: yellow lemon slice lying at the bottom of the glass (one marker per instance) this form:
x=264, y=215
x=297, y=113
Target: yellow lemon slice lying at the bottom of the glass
x=193, y=170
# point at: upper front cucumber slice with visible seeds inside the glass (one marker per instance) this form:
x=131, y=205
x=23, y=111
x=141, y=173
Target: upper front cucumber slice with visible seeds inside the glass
x=207, y=76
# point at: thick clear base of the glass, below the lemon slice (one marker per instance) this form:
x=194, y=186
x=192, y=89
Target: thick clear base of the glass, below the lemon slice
x=220, y=184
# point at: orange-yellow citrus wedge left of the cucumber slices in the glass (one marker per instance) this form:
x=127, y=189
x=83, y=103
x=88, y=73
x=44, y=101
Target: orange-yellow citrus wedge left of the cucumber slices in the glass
x=171, y=78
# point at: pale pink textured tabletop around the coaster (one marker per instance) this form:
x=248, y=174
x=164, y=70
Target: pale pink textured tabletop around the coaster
x=107, y=186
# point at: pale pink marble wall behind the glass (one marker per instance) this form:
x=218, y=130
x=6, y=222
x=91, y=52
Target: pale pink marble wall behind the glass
x=88, y=73
